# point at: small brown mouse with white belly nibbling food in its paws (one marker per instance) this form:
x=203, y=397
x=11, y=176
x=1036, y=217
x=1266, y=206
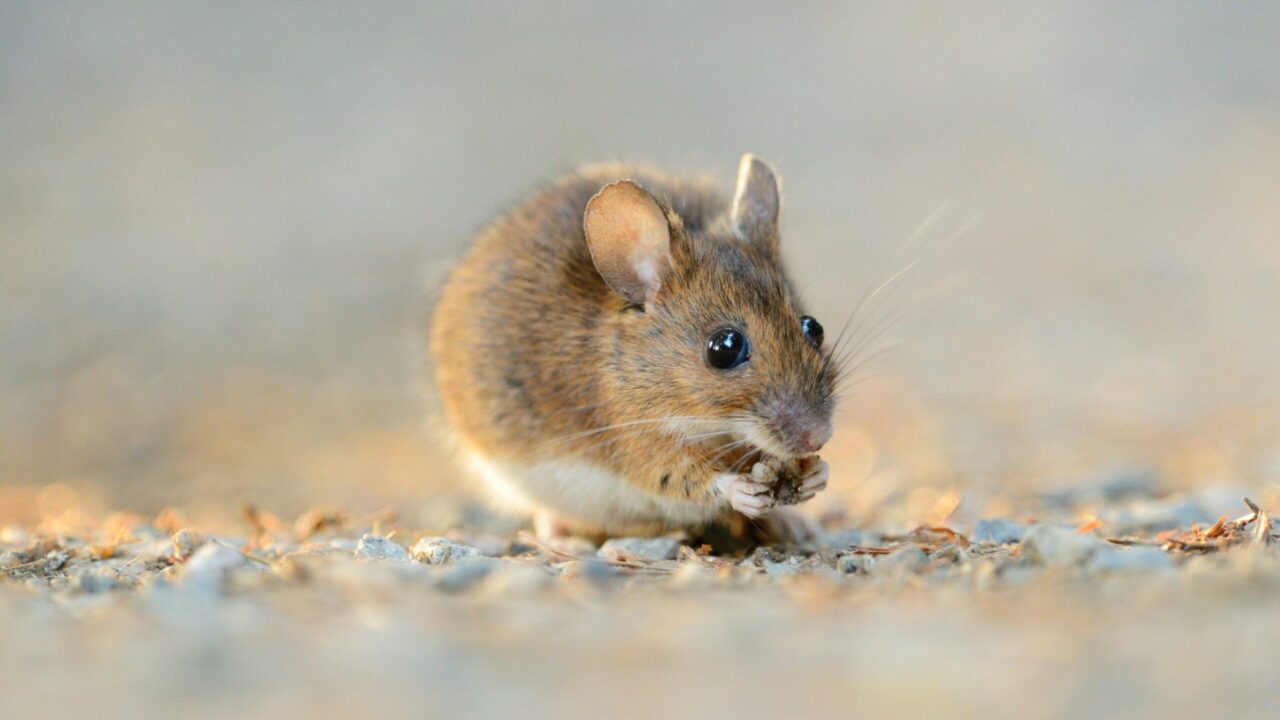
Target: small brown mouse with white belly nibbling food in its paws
x=624, y=354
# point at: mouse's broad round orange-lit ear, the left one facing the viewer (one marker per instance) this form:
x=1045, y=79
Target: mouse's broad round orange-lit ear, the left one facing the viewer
x=629, y=239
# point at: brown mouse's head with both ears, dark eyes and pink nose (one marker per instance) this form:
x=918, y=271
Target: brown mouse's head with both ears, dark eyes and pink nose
x=707, y=330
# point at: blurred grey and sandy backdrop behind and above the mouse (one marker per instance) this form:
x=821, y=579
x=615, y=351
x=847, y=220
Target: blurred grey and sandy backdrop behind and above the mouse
x=220, y=226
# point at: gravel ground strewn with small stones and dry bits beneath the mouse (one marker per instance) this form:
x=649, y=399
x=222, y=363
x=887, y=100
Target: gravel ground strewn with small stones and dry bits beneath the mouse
x=1153, y=607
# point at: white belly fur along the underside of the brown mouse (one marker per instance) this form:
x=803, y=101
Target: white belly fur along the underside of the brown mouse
x=580, y=491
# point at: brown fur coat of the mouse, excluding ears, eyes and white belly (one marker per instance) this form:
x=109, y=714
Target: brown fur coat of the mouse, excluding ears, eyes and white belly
x=534, y=353
